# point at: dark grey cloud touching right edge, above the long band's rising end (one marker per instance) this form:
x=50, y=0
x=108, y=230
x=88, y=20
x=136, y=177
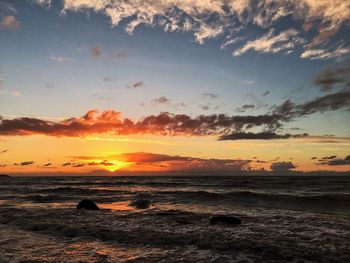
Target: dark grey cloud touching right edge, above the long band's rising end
x=333, y=77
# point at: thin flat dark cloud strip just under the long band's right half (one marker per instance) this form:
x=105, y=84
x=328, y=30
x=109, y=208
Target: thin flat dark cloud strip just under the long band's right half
x=259, y=136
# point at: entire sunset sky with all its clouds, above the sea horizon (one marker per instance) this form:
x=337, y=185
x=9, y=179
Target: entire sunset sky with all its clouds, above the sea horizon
x=174, y=87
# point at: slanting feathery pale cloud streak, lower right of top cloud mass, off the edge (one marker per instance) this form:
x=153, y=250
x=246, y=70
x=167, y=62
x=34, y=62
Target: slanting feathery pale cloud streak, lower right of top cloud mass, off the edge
x=272, y=43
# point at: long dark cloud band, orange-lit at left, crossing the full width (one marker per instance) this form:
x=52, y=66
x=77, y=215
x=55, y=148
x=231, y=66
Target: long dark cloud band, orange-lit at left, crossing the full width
x=176, y=124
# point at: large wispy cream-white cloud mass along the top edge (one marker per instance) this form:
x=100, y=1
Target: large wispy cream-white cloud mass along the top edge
x=230, y=20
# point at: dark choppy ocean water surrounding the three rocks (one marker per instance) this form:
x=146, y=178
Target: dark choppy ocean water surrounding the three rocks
x=284, y=219
